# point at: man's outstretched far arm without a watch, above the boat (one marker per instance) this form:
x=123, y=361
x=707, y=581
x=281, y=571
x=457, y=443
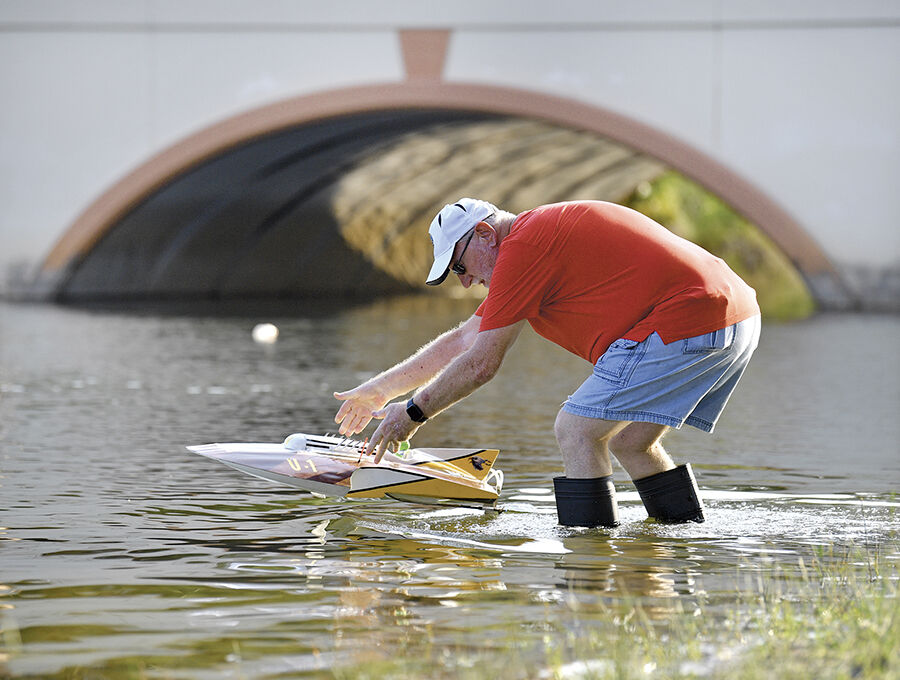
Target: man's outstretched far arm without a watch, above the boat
x=360, y=402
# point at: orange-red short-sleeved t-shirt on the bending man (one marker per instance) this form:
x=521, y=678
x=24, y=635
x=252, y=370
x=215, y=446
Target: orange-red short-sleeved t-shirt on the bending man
x=586, y=273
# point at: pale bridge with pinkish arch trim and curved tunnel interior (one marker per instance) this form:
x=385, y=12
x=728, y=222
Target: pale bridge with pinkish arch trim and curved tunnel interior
x=205, y=150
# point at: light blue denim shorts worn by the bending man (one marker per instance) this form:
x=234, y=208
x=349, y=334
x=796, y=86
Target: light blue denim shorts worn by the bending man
x=687, y=381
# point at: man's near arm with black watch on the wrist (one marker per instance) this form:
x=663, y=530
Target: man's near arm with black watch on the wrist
x=467, y=373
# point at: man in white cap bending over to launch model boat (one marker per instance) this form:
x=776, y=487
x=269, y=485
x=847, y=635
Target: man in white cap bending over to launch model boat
x=668, y=327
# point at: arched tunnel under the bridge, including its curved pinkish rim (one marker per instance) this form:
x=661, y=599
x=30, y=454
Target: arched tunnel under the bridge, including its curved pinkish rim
x=331, y=194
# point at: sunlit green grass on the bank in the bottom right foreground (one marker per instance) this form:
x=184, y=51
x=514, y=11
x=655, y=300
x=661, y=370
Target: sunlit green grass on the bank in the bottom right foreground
x=836, y=619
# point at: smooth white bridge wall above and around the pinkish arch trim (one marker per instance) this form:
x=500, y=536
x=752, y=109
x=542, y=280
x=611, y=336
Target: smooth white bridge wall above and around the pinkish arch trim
x=801, y=98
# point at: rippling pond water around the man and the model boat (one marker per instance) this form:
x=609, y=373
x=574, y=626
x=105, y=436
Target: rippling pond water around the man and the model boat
x=123, y=555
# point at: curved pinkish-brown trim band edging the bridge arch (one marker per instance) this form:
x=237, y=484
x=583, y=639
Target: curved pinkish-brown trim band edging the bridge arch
x=102, y=215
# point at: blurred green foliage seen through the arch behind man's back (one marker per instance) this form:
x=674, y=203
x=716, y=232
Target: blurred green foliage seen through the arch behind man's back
x=693, y=213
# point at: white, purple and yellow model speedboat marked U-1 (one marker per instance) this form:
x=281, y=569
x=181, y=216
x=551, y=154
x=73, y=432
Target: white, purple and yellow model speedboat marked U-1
x=331, y=465
